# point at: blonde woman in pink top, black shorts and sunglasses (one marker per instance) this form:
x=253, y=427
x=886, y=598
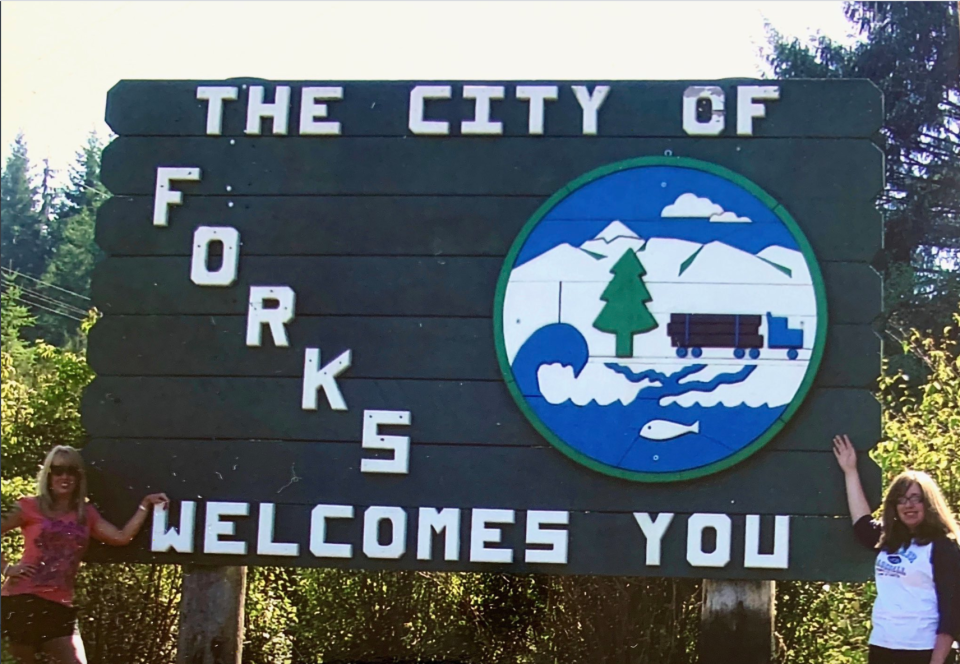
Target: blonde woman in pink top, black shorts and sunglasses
x=38, y=613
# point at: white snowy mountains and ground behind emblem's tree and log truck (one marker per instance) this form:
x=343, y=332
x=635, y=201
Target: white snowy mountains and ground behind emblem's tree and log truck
x=565, y=284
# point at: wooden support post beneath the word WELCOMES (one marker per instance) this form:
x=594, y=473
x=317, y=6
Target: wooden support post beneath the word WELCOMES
x=211, y=615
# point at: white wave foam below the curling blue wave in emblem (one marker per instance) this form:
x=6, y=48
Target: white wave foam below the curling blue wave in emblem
x=595, y=383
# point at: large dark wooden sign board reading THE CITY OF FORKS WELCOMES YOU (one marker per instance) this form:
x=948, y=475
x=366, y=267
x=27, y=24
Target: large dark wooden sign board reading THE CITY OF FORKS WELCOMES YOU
x=579, y=328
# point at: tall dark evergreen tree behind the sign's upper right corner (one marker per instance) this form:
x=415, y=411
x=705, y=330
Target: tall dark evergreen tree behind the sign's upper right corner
x=910, y=51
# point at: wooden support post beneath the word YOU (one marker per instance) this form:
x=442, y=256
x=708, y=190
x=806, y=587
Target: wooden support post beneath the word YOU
x=736, y=622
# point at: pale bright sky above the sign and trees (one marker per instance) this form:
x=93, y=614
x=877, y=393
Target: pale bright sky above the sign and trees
x=59, y=59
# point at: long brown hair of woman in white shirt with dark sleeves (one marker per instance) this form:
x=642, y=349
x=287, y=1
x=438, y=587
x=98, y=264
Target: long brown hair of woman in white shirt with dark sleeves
x=937, y=519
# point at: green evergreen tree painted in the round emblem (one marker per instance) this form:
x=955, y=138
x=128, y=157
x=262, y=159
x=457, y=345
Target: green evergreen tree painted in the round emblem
x=626, y=313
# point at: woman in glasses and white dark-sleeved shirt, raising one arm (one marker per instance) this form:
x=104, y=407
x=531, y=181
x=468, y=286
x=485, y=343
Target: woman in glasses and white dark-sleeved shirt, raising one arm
x=916, y=616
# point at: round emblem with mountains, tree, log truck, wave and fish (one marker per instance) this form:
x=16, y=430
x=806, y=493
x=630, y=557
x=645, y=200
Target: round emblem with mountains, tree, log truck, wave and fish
x=660, y=319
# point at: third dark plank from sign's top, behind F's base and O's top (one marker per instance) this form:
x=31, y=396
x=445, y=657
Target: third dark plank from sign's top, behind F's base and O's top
x=412, y=225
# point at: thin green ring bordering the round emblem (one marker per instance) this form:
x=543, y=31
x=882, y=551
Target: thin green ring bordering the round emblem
x=798, y=398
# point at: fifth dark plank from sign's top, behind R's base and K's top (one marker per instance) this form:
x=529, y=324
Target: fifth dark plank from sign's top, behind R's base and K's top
x=425, y=348
